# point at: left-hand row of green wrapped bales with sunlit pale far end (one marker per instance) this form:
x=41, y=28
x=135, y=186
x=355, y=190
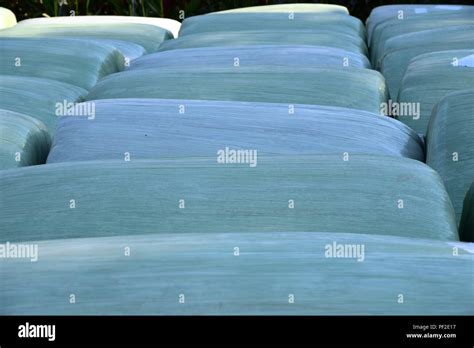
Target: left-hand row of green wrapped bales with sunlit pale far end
x=42, y=76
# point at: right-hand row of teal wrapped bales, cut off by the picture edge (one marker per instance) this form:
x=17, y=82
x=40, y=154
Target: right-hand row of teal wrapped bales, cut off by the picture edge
x=426, y=54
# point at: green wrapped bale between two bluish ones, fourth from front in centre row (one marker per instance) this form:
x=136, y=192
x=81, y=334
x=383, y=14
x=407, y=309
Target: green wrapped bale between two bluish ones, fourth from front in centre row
x=364, y=88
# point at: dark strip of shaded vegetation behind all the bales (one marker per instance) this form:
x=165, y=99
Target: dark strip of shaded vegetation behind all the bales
x=170, y=8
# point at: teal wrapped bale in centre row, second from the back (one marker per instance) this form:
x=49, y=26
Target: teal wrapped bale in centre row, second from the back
x=272, y=21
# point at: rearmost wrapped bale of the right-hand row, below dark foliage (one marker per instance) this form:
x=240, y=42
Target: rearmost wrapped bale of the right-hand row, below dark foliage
x=382, y=14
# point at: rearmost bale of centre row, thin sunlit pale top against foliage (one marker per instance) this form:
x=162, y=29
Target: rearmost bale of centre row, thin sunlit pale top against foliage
x=328, y=9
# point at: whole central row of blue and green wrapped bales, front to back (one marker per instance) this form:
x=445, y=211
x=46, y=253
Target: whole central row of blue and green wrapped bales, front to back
x=234, y=159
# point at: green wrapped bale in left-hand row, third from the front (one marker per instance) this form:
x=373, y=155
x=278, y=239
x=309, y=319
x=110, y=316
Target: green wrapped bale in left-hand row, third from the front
x=77, y=62
